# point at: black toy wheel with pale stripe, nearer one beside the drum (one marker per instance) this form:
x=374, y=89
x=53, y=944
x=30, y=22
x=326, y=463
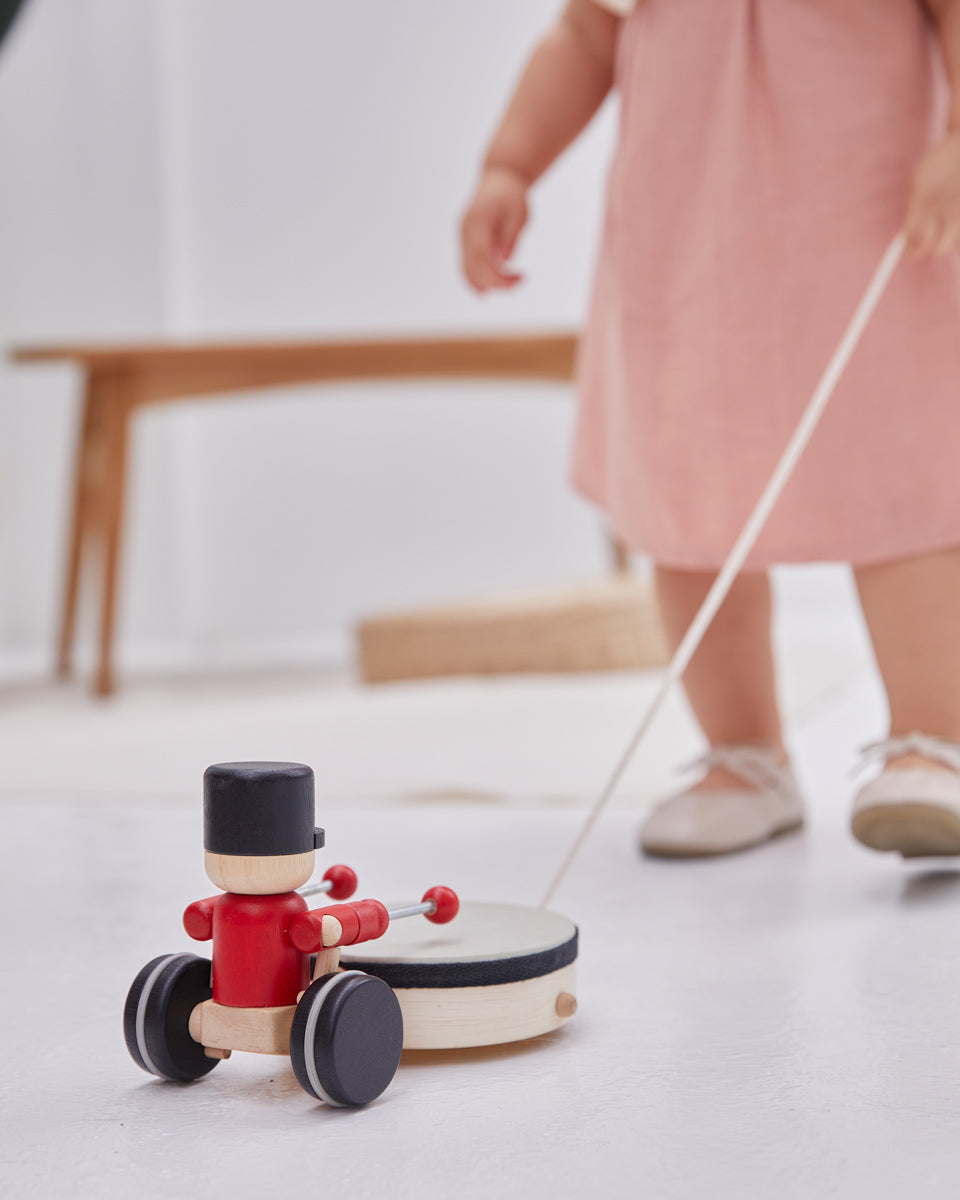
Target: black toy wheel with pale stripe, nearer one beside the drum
x=346, y=1039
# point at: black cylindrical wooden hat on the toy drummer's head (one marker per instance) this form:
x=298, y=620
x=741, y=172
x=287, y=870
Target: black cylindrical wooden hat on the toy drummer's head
x=260, y=809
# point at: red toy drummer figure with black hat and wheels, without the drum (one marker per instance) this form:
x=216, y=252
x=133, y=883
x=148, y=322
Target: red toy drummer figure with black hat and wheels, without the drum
x=345, y=1030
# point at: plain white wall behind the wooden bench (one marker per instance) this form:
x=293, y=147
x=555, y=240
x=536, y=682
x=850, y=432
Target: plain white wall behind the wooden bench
x=279, y=167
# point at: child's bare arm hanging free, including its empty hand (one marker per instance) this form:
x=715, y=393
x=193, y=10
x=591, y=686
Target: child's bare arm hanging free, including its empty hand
x=565, y=83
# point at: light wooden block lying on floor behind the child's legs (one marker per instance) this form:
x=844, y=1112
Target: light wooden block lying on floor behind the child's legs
x=613, y=625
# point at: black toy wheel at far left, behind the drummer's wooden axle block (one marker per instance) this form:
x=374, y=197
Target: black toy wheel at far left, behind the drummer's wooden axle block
x=157, y=1017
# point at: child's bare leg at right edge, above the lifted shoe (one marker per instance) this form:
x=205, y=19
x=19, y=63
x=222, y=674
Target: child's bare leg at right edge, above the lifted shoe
x=913, y=610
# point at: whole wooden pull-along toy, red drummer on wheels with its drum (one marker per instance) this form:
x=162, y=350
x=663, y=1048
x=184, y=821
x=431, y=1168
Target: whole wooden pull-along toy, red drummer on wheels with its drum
x=277, y=985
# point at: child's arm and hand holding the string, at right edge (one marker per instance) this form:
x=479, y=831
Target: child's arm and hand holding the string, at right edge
x=933, y=224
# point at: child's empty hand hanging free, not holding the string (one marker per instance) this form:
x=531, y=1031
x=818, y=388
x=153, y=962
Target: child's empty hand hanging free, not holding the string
x=491, y=227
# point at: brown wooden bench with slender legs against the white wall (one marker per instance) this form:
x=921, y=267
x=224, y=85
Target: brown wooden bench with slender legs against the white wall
x=119, y=381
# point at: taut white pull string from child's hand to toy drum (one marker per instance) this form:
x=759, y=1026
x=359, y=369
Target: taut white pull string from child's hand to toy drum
x=745, y=544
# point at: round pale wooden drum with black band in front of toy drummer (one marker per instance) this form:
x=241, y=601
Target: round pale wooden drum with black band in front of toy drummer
x=499, y=974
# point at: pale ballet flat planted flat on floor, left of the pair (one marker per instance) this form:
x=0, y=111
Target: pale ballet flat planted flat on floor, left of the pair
x=695, y=825
